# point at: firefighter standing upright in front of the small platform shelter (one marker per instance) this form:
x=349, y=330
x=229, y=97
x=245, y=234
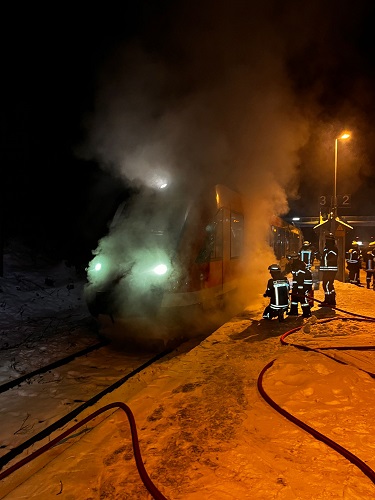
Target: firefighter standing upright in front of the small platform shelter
x=329, y=267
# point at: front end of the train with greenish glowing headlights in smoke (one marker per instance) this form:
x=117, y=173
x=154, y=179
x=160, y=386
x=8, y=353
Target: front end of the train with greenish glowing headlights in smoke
x=134, y=264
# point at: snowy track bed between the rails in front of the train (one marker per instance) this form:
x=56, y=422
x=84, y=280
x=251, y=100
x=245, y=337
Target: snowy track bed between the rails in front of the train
x=64, y=389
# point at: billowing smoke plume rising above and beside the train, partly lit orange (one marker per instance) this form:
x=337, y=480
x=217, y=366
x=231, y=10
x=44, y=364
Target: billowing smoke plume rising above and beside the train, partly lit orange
x=206, y=99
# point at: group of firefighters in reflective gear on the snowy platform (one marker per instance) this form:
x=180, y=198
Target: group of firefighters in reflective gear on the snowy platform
x=301, y=287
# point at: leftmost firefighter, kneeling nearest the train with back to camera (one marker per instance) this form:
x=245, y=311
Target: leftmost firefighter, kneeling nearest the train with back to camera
x=278, y=291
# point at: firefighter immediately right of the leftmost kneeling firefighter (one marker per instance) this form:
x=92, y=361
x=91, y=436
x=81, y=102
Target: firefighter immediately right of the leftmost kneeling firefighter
x=301, y=286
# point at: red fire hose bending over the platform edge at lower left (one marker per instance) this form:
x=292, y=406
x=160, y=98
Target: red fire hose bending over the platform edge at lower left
x=153, y=490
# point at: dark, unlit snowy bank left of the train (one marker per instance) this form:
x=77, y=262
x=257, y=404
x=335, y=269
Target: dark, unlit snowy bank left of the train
x=37, y=297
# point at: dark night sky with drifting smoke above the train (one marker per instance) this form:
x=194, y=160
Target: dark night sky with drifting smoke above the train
x=67, y=73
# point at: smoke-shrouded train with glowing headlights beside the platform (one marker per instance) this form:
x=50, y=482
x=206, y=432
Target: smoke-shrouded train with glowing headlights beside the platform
x=172, y=261
